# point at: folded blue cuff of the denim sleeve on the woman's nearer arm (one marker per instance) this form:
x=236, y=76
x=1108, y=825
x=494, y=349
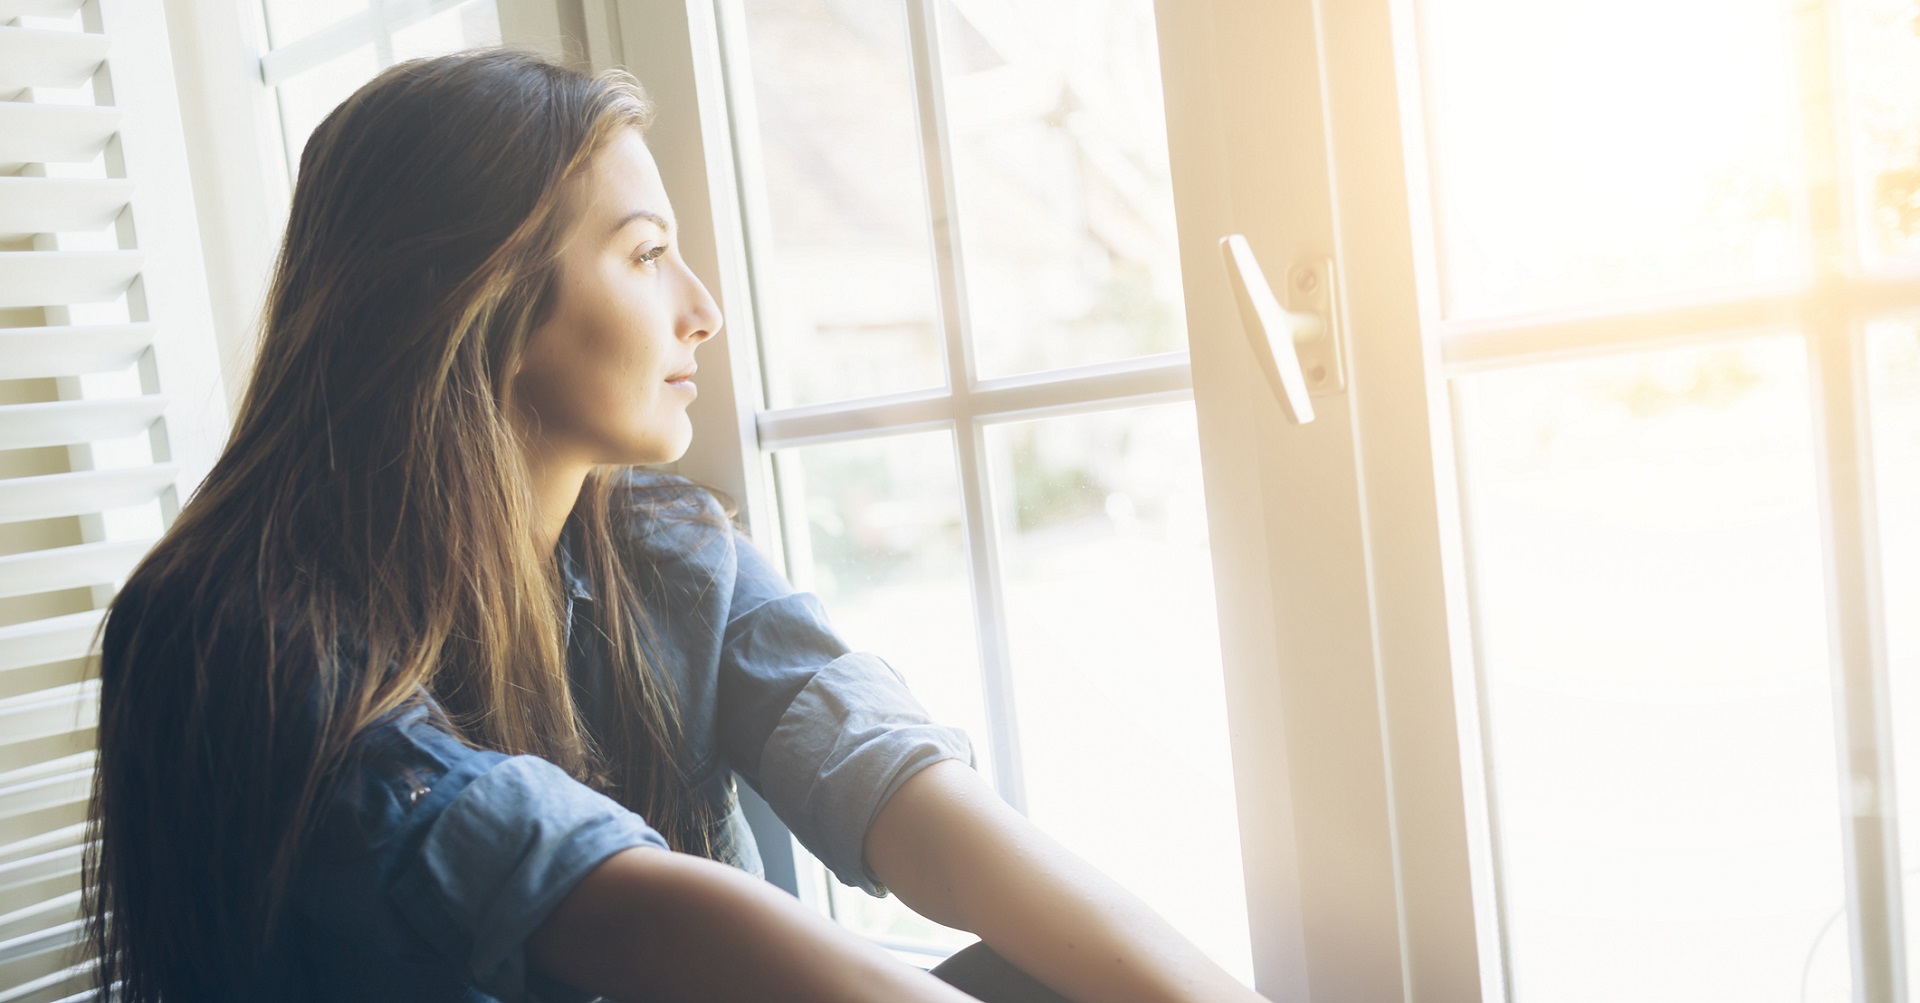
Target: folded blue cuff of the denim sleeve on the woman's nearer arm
x=502, y=858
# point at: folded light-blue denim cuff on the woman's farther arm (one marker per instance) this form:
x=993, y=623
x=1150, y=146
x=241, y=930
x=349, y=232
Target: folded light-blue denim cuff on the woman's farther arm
x=840, y=752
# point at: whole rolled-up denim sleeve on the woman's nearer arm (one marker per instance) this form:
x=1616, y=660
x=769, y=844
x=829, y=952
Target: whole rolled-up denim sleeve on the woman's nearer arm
x=441, y=854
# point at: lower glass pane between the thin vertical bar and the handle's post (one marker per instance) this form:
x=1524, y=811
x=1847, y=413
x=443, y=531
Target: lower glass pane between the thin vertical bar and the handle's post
x=1116, y=660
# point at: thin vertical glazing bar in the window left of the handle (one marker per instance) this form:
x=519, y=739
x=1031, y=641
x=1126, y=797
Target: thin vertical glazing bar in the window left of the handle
x=971, y=437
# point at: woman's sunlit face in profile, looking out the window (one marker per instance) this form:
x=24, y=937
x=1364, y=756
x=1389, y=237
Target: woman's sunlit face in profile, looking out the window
x=610, y=376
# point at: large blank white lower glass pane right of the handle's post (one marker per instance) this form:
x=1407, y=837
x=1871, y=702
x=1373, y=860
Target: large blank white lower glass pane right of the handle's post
x=1652, y=639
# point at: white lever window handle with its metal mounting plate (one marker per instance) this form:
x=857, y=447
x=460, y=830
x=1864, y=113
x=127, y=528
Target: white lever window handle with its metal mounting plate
x=1297, y=345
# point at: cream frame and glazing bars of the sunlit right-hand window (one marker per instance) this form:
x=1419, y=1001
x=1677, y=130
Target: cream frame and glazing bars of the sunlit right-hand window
x=1387, y=887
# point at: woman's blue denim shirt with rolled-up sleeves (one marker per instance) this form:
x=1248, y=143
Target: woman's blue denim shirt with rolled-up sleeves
x=437, y=862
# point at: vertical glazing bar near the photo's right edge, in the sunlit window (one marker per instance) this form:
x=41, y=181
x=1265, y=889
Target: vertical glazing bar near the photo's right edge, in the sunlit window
x=1858, y=635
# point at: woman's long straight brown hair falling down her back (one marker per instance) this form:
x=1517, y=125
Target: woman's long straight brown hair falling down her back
x=368, y=535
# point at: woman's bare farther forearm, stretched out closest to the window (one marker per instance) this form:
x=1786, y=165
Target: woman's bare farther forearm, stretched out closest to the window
x=955, y=852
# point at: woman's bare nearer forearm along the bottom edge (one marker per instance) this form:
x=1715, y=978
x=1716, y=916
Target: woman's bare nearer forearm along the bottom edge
x=656, y=925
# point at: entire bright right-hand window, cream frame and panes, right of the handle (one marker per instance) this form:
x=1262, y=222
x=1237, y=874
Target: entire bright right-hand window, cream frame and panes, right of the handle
x=1606, y=529
